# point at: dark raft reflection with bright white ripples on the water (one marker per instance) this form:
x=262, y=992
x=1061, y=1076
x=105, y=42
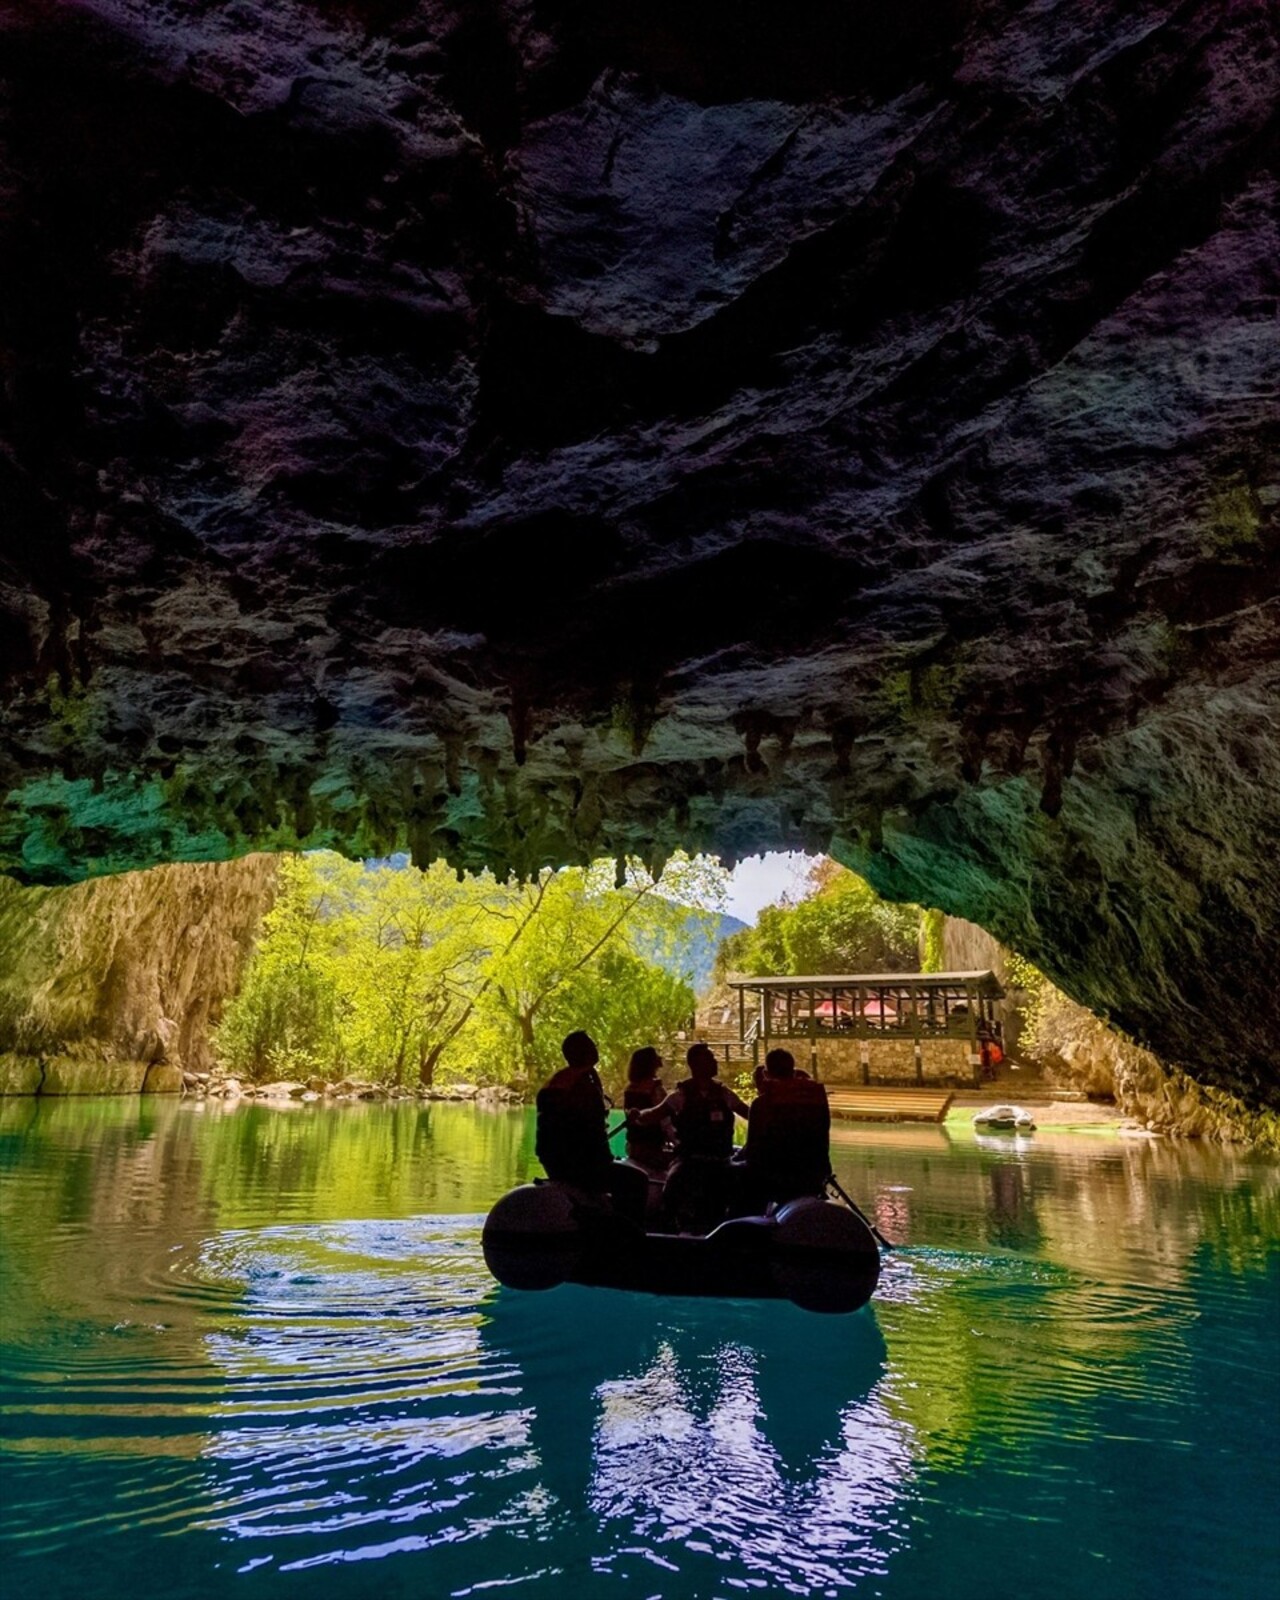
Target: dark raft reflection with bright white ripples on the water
x=703, y=1431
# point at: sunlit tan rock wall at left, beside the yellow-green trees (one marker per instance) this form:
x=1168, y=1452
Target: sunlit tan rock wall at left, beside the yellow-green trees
x=114, y=986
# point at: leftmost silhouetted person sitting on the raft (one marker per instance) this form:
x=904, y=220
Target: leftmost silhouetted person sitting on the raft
x=572, y=1142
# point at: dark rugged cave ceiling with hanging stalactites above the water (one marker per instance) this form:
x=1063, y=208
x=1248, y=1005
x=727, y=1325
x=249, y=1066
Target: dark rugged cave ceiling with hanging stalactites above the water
x=524, y=431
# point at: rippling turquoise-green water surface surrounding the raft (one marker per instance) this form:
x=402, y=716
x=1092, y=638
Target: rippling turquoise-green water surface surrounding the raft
x=257, y=1353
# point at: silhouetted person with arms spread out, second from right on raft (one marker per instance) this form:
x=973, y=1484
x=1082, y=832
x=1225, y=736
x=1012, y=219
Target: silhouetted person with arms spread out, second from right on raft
x=702, y=1111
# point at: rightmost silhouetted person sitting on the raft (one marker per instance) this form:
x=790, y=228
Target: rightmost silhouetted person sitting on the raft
x=788, y=1151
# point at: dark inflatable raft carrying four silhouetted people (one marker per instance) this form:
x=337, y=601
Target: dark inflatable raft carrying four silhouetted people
x=812, y=1252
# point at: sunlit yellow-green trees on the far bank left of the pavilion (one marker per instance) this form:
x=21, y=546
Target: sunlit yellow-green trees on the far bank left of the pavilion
x=391, y=974
